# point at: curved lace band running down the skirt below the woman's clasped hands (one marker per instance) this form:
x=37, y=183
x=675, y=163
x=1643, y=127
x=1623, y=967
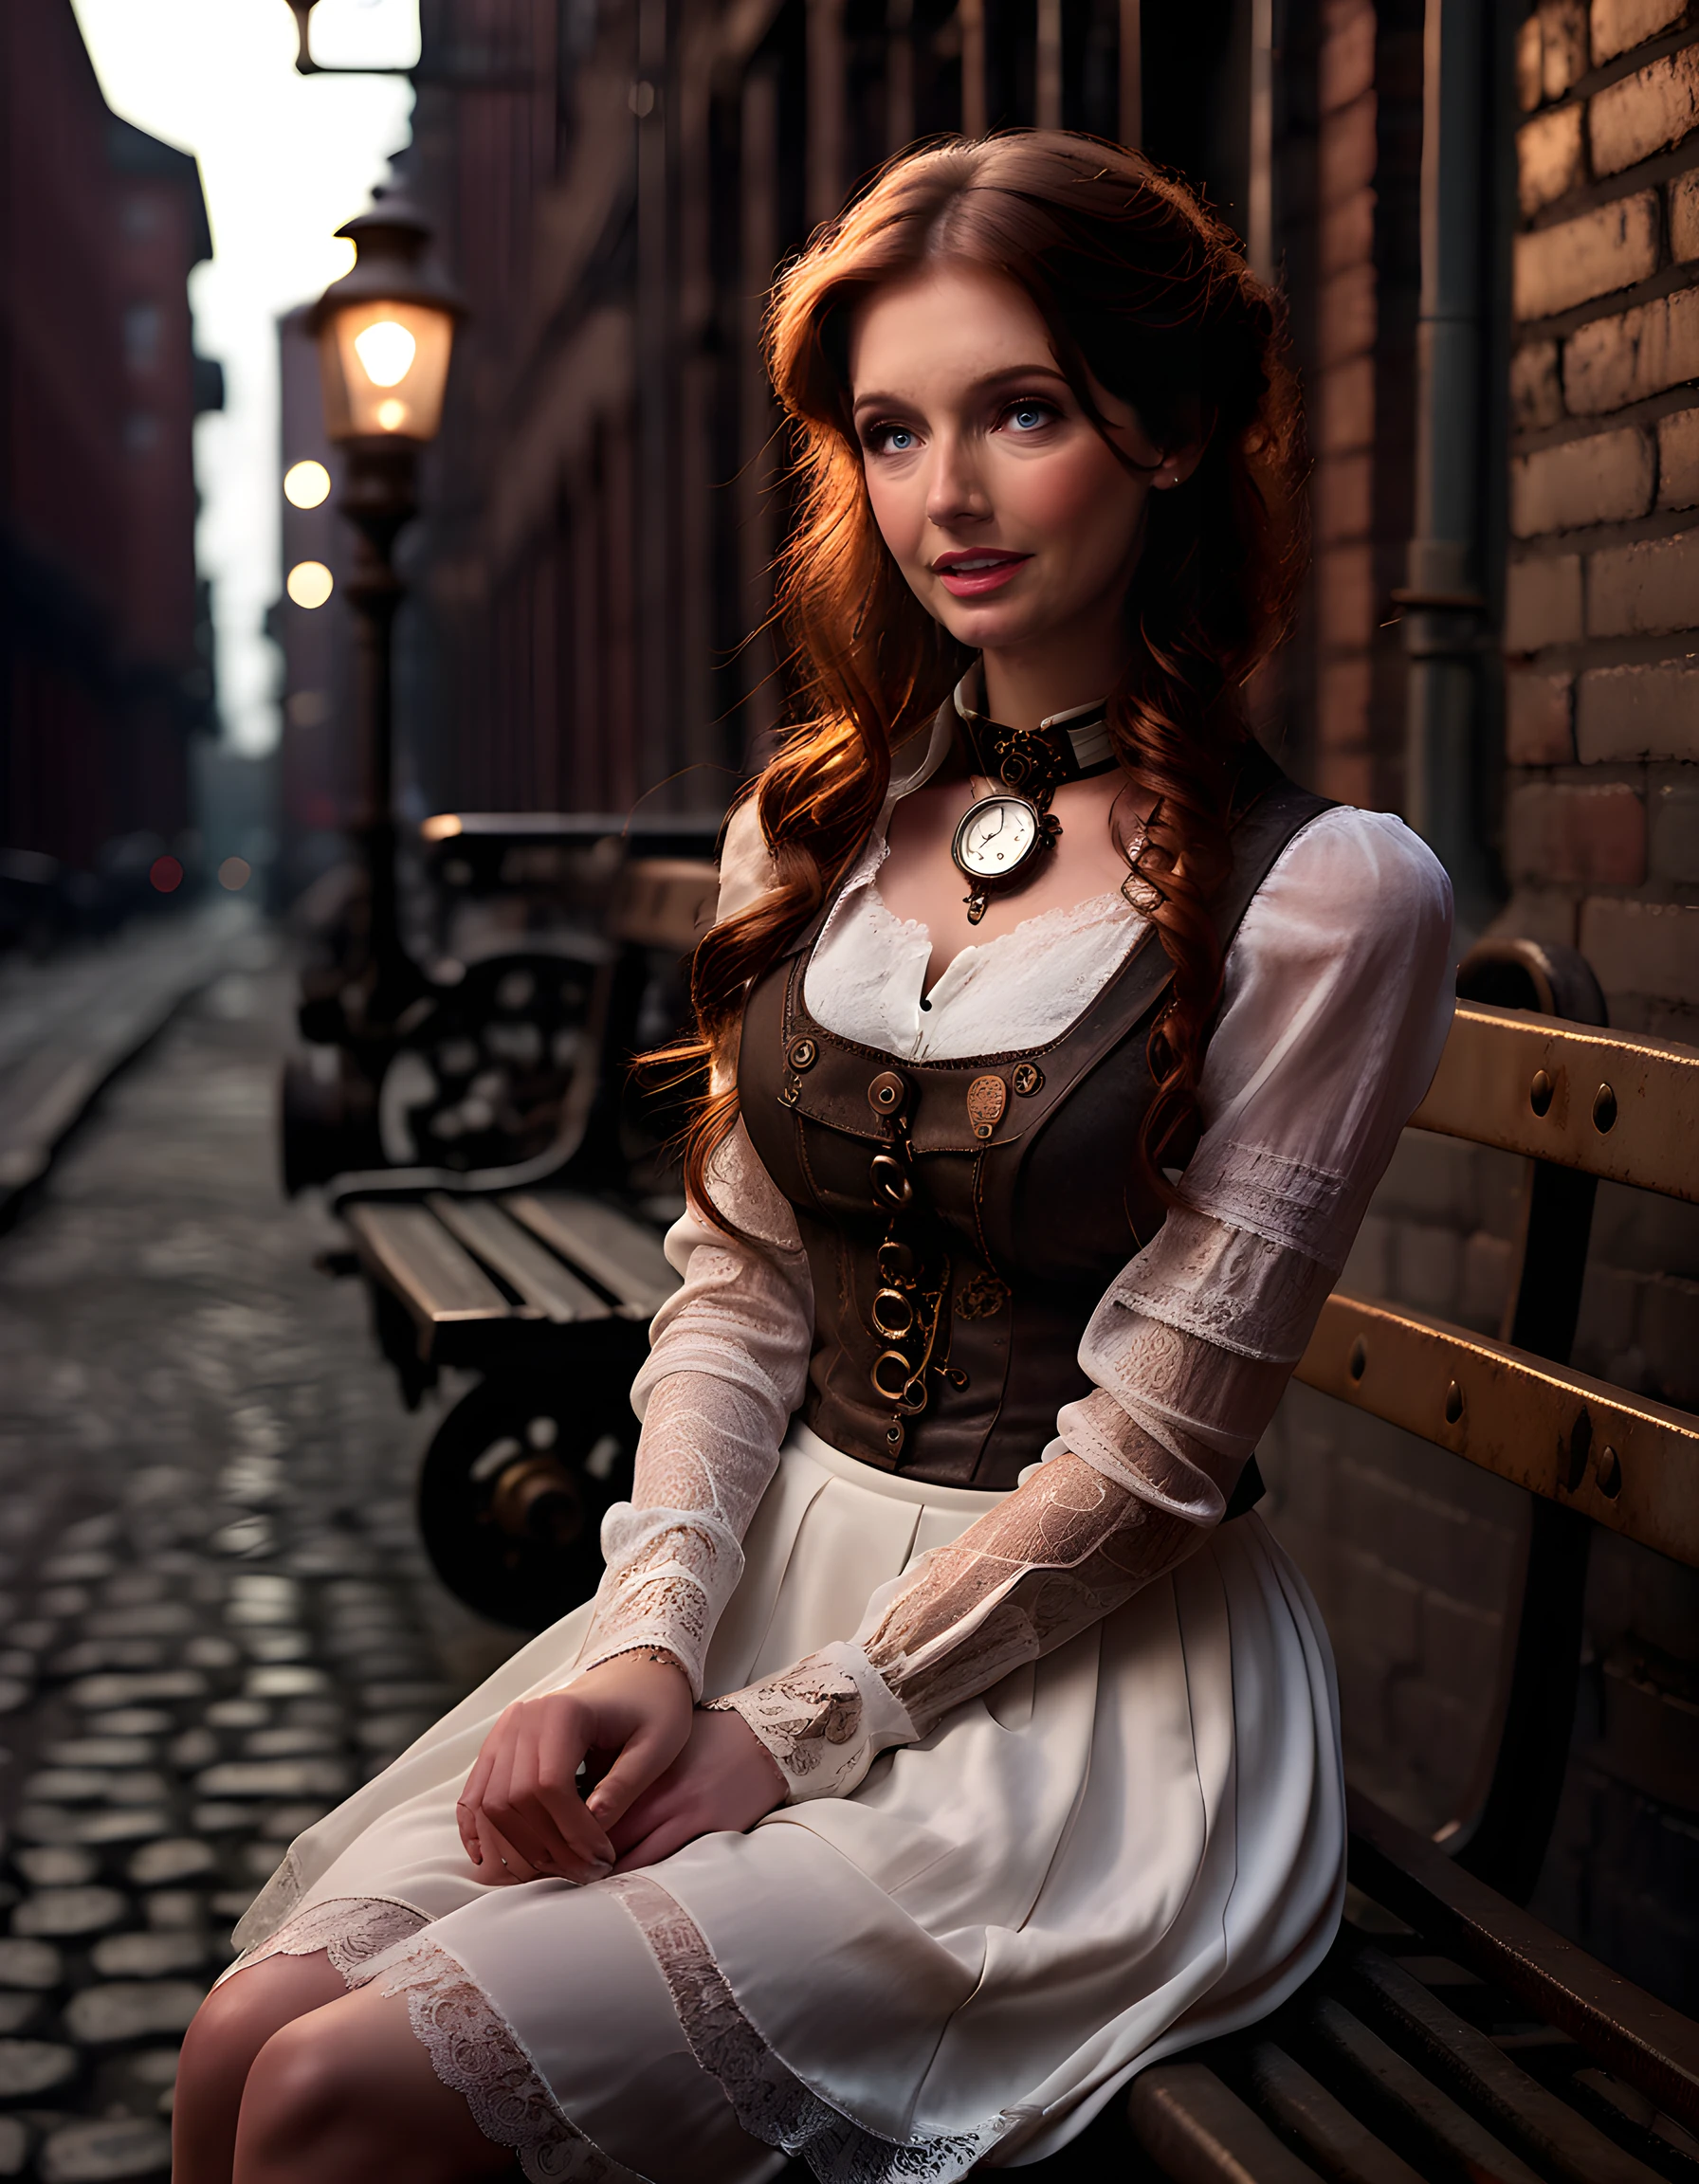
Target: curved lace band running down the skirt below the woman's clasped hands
x=768, y=2100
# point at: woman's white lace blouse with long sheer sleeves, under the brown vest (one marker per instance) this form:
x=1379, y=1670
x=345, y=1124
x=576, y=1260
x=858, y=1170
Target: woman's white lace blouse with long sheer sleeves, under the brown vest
x=1335, y=1008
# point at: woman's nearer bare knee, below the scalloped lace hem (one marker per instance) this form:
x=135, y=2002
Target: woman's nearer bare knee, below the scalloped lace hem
x=346, y=2096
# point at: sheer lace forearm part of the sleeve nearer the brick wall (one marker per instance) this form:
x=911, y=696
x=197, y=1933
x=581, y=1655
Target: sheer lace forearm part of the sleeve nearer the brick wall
x=1062, y=1552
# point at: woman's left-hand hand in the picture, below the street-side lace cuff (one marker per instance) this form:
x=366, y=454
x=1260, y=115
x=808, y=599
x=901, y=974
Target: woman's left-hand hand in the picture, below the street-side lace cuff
x=521, y=1814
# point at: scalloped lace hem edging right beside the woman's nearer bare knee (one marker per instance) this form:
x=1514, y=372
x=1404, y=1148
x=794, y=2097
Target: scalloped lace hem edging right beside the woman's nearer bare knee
x=477, y=2054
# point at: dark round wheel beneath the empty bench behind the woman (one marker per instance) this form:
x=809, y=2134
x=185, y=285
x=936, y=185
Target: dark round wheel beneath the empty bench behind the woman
x=514, y=1491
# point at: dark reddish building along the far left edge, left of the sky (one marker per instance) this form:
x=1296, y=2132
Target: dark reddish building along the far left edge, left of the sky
x=106, y=665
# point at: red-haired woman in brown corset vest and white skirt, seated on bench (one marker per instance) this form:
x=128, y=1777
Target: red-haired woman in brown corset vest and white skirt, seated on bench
x=1021, y=1766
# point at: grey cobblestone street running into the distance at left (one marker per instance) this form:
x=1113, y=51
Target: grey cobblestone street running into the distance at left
x=217, y=1617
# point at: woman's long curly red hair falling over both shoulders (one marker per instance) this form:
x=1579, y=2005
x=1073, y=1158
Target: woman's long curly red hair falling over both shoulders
x=1148, y=294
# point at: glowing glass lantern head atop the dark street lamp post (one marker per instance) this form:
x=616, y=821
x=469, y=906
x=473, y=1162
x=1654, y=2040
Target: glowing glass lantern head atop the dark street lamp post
x=388, y=331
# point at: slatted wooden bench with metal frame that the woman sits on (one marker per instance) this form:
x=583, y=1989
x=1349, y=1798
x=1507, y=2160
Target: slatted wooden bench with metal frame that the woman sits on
x=1451, y=2034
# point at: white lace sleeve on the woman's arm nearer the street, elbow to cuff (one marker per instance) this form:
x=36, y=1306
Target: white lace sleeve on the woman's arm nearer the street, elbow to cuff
x=726, y=1370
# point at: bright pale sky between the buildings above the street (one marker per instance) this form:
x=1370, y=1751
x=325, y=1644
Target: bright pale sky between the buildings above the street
x=285, y=163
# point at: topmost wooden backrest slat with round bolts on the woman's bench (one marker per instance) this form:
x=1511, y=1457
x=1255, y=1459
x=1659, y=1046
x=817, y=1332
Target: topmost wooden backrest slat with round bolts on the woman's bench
x=1486, y=1078
